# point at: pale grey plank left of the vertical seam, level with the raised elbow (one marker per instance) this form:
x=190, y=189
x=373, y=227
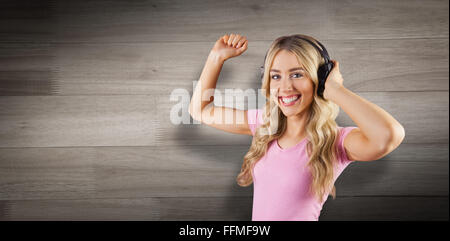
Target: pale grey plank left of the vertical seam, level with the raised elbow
x=88, y=121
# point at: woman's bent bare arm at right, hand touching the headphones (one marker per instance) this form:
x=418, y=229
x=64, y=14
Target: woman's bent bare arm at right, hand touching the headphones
x=378, y=133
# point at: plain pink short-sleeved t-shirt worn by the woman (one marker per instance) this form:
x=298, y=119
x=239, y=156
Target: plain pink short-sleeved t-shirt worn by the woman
x=281, y=179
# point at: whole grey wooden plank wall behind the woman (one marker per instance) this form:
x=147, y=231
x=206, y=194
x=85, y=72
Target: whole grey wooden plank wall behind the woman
x=85, y=86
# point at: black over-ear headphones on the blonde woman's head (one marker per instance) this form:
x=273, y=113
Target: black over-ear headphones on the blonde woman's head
x=324, y=69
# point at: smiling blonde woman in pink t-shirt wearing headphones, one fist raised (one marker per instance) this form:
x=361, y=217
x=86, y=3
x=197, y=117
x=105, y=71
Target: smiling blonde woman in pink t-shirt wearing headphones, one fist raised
x=297, y=151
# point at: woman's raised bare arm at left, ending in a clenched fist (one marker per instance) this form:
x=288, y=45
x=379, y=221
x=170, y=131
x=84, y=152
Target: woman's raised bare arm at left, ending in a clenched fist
x=201, y=107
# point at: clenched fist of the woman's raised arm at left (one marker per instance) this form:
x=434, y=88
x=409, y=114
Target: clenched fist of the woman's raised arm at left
x=229, y=46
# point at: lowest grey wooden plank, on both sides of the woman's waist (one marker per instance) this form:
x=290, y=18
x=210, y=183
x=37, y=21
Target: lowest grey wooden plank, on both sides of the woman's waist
x=220, y=208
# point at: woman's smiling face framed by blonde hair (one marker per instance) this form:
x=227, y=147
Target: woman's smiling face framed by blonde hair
x=293, y=90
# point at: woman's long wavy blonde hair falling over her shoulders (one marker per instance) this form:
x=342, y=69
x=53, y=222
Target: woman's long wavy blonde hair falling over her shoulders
x=321, y=128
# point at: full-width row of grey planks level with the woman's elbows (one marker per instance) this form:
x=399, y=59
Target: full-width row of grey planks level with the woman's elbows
x=145, y=120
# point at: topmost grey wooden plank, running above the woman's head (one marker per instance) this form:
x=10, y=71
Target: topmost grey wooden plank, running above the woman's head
x=198, y=20
